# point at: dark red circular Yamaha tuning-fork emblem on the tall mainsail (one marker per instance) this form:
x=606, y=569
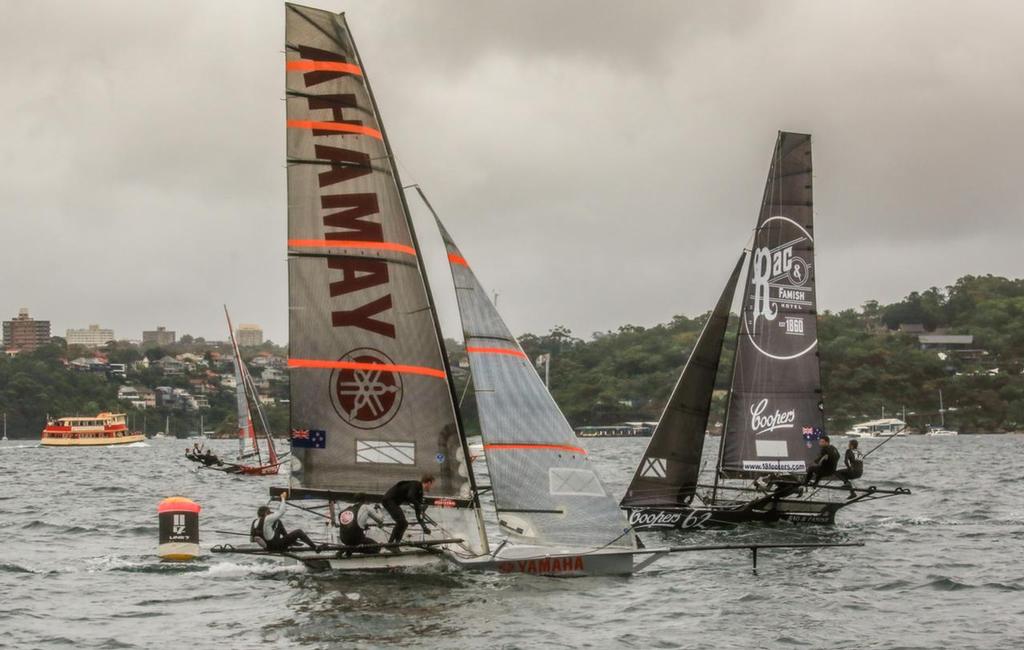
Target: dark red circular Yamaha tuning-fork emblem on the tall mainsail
x=365, y=397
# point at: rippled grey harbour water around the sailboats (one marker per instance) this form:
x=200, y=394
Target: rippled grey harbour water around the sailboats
x=942, y=569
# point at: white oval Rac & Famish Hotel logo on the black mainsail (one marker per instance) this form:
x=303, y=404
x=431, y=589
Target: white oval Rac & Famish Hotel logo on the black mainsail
x=782, y=292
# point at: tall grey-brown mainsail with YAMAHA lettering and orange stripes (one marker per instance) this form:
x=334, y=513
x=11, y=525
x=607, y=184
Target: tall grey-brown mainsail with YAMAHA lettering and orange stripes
x=371, y=399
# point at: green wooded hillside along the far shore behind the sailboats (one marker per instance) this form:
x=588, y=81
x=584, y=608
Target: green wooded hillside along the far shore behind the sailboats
x=868, y=366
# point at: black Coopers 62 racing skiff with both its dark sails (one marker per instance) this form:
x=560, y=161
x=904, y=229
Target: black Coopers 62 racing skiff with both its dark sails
x=776, y=414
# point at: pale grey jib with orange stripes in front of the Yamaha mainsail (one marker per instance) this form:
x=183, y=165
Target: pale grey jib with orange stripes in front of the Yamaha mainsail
x=545, y=487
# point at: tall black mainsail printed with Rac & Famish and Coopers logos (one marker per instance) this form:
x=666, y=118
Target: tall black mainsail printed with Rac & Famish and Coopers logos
x=776, y=411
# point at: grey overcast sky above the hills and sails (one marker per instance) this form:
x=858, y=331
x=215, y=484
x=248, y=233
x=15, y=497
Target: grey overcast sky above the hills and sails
x=599, y=163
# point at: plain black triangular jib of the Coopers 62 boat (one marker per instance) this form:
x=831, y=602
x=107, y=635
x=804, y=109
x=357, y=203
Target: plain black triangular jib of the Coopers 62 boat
x=668, y=471
